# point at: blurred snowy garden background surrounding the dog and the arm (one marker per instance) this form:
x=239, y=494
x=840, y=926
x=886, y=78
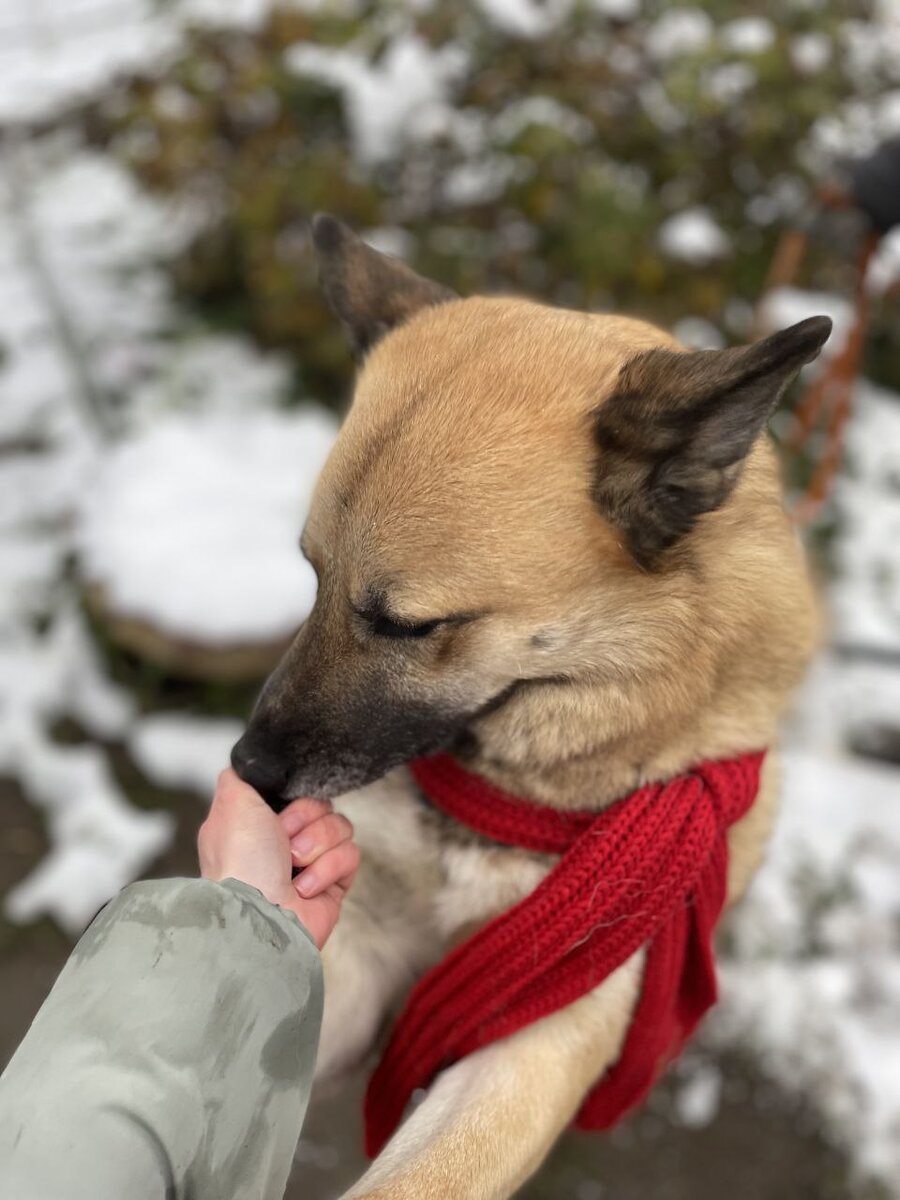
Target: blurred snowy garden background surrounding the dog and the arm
x=171, y=383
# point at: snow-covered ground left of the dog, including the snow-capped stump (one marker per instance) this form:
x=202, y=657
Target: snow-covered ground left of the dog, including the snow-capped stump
x=118, y=441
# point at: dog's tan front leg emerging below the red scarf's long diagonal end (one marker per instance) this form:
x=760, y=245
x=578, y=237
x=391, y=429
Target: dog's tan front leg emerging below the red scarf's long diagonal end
x=489, y=1121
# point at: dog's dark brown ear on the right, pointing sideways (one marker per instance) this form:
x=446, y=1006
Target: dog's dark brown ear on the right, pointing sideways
x=674, y=436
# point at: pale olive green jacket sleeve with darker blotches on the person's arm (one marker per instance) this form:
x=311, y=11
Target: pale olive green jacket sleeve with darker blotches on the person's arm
x=173, y=1058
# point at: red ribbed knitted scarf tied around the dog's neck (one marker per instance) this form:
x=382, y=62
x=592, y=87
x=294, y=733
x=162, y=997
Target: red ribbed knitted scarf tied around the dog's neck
x=650, y=871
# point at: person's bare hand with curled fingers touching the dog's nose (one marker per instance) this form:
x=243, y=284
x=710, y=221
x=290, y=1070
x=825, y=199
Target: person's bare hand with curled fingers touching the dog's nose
x=243, y=839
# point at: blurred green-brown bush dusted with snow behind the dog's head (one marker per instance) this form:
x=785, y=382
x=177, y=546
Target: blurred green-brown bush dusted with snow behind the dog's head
x=537, y=148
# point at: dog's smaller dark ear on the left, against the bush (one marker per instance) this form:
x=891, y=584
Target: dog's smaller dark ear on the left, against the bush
x=369, y=292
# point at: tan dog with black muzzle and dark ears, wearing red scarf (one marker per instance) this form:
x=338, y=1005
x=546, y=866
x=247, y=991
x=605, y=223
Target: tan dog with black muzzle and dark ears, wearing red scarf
x=554, y=543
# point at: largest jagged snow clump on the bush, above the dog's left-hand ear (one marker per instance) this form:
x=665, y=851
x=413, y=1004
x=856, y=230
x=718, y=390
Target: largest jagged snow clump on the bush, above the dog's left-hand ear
x=389, y=100
